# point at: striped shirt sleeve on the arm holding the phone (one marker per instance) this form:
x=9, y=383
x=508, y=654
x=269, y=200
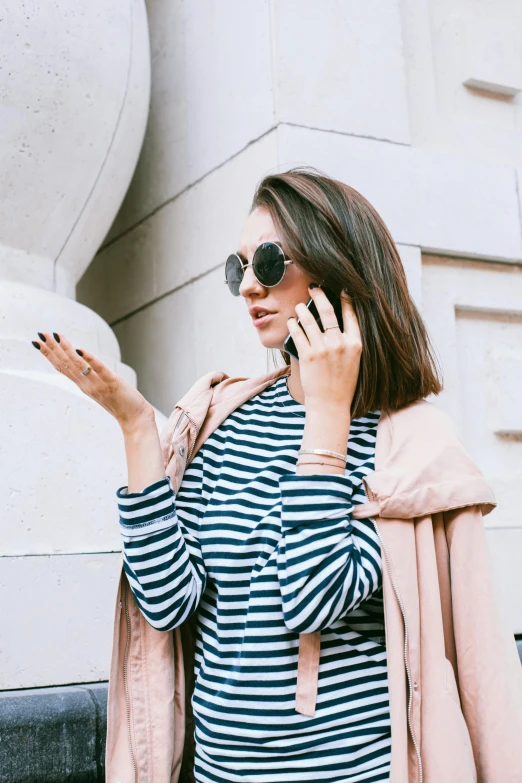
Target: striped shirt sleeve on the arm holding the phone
x=326, y=566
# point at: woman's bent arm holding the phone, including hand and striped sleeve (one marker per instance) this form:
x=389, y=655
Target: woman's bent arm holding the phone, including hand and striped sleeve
x=326, y=566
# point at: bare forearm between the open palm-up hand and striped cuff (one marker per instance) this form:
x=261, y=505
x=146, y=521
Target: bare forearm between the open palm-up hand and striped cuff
x=145, y=463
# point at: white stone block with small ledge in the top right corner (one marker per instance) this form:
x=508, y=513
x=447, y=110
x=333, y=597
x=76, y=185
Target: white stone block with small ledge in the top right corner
x=444, y=50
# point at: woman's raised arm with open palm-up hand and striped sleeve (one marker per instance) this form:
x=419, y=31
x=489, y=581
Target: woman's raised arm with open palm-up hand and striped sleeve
x=162, y=558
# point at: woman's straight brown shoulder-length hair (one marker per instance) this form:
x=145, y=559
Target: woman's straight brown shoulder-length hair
x=335, y=235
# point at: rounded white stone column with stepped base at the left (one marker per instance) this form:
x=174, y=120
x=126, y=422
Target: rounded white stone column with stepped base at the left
x=74, y=95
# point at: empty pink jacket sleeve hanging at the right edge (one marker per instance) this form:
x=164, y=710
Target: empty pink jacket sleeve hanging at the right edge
x=488, y=673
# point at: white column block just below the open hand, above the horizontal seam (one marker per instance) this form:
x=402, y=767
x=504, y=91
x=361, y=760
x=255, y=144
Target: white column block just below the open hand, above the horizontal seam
x=80, y=514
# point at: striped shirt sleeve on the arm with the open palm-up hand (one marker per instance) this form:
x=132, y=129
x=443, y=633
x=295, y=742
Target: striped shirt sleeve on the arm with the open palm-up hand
x=162, y=558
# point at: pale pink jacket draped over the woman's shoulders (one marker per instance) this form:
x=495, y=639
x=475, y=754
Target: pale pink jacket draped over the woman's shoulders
x=455, y=680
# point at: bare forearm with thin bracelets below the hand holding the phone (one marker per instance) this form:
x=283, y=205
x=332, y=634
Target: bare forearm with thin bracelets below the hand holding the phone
x=325, y=428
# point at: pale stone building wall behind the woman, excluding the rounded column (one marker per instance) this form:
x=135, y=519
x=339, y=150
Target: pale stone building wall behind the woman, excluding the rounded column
x=418, y=105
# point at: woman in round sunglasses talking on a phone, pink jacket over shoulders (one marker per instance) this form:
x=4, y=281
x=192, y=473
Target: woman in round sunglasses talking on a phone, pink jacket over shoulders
x=305, y=667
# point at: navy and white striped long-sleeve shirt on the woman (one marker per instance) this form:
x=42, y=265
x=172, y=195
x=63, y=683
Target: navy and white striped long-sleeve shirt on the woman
x=262, y=554
